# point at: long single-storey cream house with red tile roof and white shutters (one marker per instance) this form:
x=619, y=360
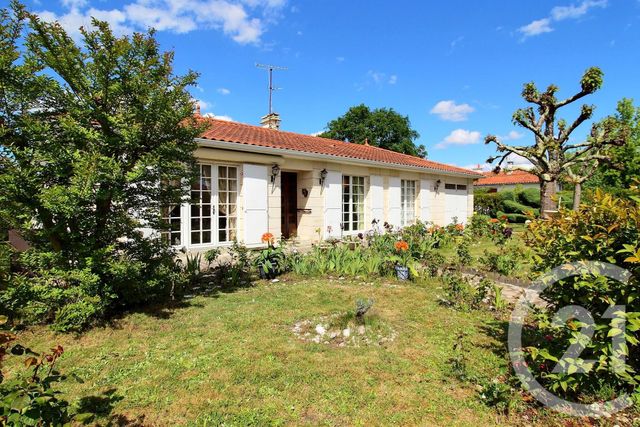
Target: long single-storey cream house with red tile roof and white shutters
x=258, y=179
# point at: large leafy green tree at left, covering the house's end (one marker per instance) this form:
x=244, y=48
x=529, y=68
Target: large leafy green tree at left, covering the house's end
x=94, y=140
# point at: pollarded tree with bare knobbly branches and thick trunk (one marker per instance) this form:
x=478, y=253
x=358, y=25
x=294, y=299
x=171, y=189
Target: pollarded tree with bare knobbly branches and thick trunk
x=553, y=154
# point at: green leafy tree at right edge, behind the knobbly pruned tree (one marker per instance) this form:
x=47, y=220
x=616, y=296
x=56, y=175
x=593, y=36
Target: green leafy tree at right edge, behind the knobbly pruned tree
x=624, y=169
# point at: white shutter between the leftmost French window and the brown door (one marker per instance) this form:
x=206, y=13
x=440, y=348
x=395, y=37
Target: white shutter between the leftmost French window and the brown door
x=255, y=189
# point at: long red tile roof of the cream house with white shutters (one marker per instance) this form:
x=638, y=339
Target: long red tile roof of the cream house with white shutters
x=253, y=135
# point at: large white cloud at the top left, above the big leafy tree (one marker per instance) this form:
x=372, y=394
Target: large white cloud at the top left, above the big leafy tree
x=242, y=20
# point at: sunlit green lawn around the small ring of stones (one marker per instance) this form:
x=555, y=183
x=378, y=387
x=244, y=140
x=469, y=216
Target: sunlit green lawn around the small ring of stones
x=232, y=358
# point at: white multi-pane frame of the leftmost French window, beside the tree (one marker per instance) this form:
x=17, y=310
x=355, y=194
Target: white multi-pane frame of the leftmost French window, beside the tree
x=214, y=229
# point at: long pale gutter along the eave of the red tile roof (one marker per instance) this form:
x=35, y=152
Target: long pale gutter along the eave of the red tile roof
x=235, y=146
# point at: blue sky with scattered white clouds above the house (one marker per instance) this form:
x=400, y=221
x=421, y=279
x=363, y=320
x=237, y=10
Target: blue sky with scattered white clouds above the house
x=456, y=68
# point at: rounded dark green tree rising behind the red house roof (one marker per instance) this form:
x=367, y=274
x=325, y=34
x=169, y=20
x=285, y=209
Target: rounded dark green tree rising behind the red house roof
x=382, y=127
